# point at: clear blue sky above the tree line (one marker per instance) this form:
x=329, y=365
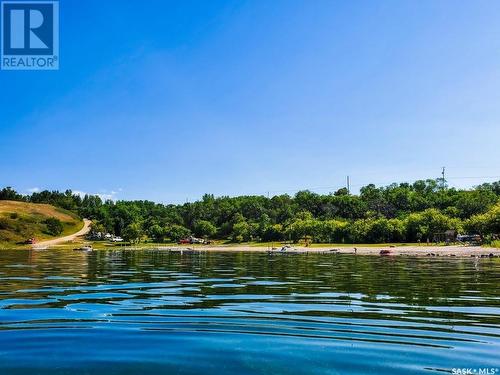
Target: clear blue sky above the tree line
x=167, y=100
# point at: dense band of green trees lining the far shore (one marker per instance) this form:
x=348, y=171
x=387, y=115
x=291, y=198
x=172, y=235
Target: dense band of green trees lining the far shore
x=396, y=213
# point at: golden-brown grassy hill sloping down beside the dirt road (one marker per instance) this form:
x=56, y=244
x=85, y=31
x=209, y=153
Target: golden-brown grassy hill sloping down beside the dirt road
x=20, y=221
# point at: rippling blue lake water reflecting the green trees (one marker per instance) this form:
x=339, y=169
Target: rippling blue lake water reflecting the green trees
x=154, y=312
